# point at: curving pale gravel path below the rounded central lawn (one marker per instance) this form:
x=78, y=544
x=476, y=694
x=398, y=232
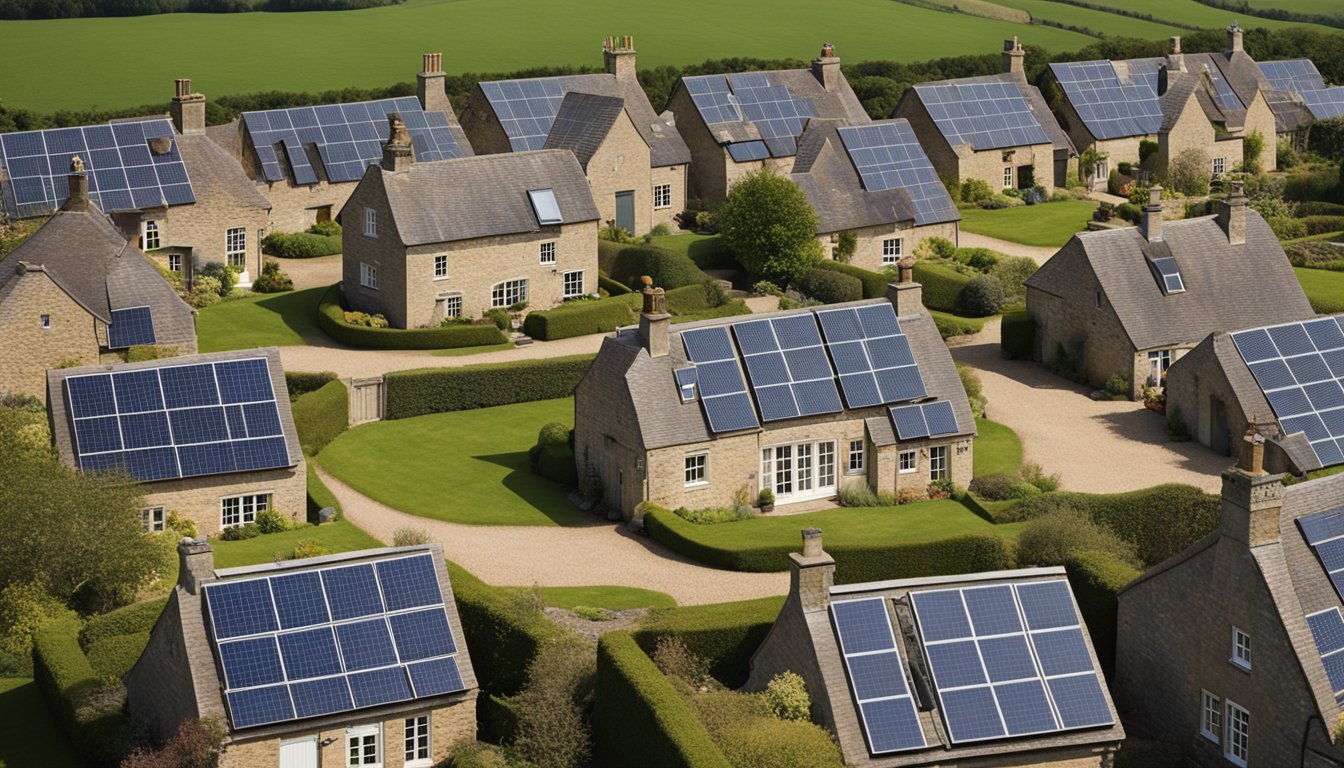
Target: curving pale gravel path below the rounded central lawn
x=599, y=555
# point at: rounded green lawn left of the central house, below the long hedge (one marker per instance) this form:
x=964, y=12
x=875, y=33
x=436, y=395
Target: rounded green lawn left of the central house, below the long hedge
x=464, y=467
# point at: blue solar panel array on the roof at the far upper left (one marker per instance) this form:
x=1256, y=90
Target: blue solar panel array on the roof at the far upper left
x=124, y=174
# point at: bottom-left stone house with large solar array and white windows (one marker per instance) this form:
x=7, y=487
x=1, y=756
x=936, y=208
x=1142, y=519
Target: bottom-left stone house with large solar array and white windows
x=354, y=658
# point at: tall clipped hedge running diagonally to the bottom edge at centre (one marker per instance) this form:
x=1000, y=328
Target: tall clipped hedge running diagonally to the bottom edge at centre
x=636, y=711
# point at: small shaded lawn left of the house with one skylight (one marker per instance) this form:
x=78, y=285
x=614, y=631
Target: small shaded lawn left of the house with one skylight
x=263, y=321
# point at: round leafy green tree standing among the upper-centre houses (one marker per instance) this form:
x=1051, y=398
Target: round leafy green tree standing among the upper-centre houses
x=771, y=227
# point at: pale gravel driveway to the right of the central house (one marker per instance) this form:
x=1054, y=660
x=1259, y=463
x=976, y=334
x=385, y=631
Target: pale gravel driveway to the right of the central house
x=1097, y=447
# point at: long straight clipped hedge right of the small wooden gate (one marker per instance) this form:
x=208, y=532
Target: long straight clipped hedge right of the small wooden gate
x=442, y=391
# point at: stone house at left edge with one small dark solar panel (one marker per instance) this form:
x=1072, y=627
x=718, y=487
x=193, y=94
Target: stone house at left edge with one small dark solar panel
x=77, y=293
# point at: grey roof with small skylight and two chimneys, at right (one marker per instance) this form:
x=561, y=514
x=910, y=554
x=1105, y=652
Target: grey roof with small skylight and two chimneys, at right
x=1226, y=286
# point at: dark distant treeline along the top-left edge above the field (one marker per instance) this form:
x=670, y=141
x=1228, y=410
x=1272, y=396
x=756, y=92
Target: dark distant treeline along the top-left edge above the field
x=77, y=9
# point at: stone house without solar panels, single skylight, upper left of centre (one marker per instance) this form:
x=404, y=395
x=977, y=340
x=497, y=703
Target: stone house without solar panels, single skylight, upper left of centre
x=454, y=239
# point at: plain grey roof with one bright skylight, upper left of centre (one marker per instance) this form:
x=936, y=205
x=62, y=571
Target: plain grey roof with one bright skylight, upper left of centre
x=486, y=196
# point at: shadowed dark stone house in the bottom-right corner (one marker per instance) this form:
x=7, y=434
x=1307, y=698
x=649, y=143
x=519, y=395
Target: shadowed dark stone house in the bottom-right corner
x=1232, y=649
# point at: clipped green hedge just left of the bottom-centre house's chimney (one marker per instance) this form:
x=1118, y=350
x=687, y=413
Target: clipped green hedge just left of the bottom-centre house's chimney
x=726, y=634
